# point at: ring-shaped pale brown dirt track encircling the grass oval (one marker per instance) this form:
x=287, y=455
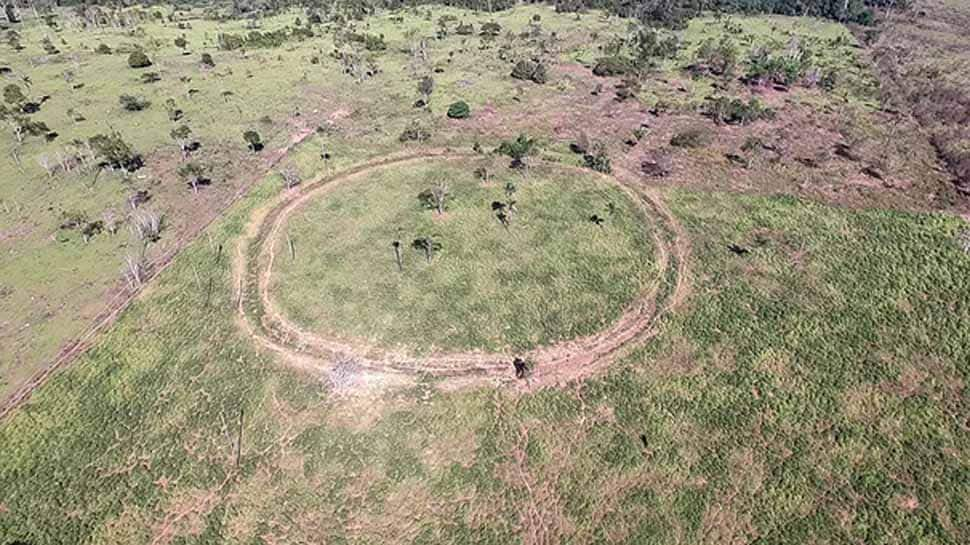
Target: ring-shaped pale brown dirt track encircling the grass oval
x=555, y=364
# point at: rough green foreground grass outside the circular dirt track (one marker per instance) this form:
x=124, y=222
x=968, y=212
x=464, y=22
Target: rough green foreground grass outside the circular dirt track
x=812, y=388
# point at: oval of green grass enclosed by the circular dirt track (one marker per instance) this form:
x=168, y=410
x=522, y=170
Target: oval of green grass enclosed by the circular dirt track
x=551, y=275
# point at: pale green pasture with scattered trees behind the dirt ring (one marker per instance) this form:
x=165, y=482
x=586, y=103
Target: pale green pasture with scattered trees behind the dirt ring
x=282, y=94
